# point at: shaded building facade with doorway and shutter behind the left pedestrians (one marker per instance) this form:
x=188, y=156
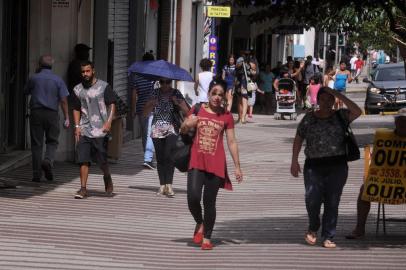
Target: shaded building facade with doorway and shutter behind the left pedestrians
x=115, y=29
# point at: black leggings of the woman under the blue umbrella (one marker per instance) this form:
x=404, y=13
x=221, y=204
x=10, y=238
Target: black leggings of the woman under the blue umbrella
x=165, y=166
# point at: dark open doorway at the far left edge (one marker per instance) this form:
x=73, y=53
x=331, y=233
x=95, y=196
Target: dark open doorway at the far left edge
x=14, y=74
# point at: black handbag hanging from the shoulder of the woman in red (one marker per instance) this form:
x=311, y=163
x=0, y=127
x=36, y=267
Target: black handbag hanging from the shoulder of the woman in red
x=181, y=150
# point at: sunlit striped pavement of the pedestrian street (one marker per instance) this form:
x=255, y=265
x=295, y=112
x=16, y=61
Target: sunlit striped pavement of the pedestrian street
x=260, y=225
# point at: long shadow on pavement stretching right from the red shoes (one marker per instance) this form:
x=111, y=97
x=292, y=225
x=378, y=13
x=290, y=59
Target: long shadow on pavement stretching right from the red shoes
x=290, y=230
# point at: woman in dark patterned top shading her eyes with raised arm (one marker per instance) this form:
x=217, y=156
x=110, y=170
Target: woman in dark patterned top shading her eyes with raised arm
x=325, y=169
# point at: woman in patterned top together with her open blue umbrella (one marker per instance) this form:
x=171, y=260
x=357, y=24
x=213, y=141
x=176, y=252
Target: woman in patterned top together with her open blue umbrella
x=163, y=103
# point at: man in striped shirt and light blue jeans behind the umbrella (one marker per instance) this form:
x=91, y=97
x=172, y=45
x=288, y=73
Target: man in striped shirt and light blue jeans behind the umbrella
x=141, y=93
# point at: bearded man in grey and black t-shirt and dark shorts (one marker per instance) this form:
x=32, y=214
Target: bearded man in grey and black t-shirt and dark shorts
x=94, y=108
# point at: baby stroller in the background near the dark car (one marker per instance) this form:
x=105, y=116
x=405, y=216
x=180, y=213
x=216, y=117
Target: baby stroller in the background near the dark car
x=285, y=99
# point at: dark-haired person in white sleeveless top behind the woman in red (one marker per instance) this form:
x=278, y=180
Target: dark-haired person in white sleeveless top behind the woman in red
x=203, y=81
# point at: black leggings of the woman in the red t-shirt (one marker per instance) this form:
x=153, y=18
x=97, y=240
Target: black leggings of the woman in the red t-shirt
x=195, y=182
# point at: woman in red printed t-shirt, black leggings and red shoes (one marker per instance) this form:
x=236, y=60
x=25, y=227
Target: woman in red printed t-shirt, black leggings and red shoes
x=207, y=165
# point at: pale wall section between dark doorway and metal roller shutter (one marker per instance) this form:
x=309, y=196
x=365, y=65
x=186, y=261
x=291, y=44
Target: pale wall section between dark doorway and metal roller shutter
x=56, y=30
